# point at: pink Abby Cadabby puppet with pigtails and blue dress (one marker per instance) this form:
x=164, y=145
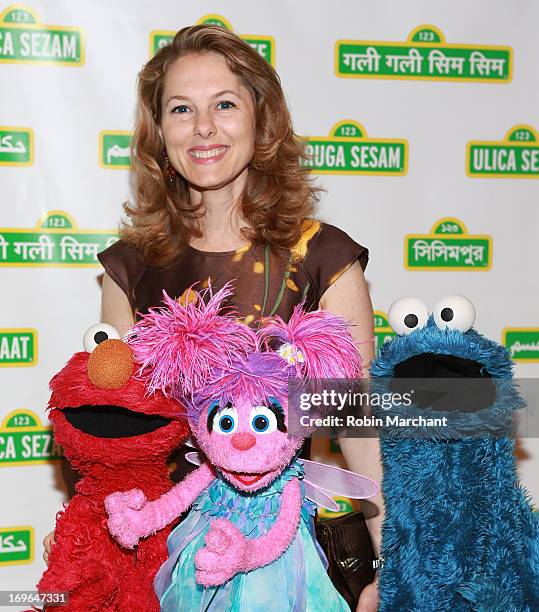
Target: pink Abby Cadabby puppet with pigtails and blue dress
x=247, y=542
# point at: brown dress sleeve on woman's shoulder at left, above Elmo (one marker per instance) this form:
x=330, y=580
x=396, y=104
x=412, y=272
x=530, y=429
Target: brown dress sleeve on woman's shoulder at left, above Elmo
x=124, y=265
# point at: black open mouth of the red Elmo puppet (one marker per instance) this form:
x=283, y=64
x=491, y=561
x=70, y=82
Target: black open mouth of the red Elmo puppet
x=113, y=421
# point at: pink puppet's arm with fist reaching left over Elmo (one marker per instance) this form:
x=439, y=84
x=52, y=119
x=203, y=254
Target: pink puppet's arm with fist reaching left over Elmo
x=132, y=517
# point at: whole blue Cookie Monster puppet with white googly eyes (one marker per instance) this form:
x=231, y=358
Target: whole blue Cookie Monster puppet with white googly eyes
x=459, y=532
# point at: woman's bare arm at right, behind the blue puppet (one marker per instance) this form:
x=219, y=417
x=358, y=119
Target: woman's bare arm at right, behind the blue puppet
x=349, y=297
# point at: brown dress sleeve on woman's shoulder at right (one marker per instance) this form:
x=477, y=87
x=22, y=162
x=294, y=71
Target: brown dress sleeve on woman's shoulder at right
x=331, y=252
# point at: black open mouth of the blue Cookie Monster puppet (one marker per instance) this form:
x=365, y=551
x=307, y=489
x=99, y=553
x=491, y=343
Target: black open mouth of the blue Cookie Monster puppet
x=448, y=382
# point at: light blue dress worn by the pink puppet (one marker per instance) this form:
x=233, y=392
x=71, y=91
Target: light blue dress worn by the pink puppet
x=303, y=583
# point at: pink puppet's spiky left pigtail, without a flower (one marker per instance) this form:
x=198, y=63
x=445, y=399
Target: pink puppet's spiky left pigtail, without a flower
x=178, y=345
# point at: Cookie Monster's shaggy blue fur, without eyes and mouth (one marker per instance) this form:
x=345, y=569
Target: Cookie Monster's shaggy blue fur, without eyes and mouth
x=459, y=532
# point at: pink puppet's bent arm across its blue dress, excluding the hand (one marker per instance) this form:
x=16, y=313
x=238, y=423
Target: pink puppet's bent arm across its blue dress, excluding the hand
x=265, y=549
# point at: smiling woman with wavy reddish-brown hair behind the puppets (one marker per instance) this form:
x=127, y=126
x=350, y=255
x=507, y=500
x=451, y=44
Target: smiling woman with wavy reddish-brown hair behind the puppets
x=220, y=195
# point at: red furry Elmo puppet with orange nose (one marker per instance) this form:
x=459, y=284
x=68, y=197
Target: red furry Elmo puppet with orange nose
x=116, y=438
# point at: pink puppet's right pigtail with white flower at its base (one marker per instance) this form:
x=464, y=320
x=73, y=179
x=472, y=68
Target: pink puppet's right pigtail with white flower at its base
x=317, y=344
